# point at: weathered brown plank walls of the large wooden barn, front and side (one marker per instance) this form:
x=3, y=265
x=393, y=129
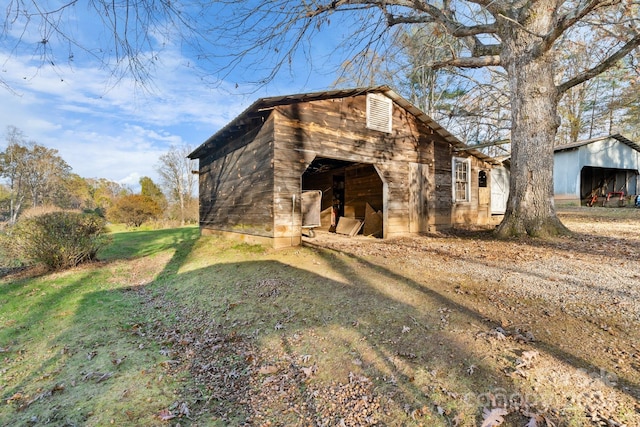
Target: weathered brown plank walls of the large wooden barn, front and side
x=251, y=184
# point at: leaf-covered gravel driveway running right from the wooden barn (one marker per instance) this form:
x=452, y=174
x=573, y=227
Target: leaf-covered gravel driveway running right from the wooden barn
x=575, y=298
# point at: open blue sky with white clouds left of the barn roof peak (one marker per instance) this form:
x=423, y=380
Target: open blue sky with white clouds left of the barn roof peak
x=119, y=131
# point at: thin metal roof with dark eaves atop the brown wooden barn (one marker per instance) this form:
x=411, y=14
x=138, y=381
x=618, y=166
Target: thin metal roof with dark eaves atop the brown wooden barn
x=258, y=108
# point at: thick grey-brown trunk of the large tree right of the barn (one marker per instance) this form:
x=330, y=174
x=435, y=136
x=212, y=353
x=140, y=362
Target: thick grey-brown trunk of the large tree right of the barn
x=530, y=207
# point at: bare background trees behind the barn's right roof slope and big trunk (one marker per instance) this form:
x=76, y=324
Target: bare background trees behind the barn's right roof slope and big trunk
x=476, y=106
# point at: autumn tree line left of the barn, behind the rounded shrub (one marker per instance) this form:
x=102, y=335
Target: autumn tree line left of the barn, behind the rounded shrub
x=34, y=177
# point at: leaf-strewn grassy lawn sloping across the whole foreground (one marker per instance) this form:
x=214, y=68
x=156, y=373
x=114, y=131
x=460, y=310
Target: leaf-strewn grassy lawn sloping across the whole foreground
x=172, y=328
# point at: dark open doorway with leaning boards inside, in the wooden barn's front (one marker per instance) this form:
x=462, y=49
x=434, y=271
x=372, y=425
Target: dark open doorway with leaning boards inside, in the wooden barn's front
x=352, y=196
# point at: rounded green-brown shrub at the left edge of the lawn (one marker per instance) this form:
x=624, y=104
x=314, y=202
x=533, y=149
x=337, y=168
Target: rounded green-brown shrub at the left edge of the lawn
x=59, y=239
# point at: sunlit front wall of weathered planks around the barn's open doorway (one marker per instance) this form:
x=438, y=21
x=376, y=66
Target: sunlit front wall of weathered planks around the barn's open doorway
x=337, y=129
